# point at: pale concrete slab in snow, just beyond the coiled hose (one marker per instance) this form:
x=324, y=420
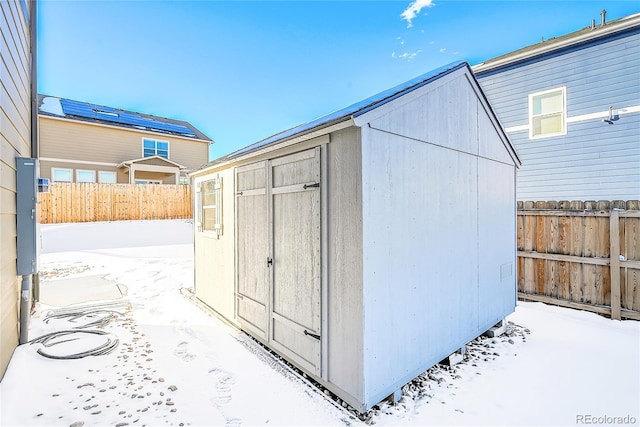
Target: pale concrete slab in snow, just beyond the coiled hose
x=77, y=290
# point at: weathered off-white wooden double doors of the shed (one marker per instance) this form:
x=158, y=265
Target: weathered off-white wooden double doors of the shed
x=278, y=263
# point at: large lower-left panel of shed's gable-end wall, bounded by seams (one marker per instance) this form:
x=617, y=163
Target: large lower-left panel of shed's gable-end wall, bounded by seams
x=417, y=298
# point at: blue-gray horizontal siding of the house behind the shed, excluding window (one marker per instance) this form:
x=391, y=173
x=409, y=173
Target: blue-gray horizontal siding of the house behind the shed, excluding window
x=594, y=160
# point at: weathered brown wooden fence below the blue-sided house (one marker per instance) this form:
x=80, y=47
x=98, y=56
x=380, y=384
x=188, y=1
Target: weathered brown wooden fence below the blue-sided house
x=581, y=254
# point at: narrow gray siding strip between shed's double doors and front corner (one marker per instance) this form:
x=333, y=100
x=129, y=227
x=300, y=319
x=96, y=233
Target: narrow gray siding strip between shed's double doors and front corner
x=343, y=335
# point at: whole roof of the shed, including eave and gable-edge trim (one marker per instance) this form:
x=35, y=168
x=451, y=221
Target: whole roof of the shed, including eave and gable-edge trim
x=348, y=114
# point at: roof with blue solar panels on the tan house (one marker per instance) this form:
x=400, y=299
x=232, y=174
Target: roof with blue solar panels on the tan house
x=85, y=112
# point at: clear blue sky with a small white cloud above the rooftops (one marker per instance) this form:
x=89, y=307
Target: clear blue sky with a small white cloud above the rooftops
x=241, y=71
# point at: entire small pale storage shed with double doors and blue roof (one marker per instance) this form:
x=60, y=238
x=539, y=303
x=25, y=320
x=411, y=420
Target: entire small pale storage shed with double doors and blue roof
x=367, y=245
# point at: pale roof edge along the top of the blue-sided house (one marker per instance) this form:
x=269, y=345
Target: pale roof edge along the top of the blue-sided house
x=584, y=35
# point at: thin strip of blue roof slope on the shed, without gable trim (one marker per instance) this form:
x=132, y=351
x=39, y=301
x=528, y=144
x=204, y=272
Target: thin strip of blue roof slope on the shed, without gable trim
x=353, y=110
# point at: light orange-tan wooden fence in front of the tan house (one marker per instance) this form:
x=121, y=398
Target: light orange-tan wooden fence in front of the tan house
x=87, y=202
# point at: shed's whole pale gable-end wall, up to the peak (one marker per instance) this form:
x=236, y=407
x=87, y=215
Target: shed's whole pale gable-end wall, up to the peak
x=438, y=230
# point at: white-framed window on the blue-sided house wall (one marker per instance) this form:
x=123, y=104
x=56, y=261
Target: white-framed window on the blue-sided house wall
x=547, y=113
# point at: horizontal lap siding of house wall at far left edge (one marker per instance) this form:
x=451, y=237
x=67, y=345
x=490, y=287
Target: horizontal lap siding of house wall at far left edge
x=14, y=142
